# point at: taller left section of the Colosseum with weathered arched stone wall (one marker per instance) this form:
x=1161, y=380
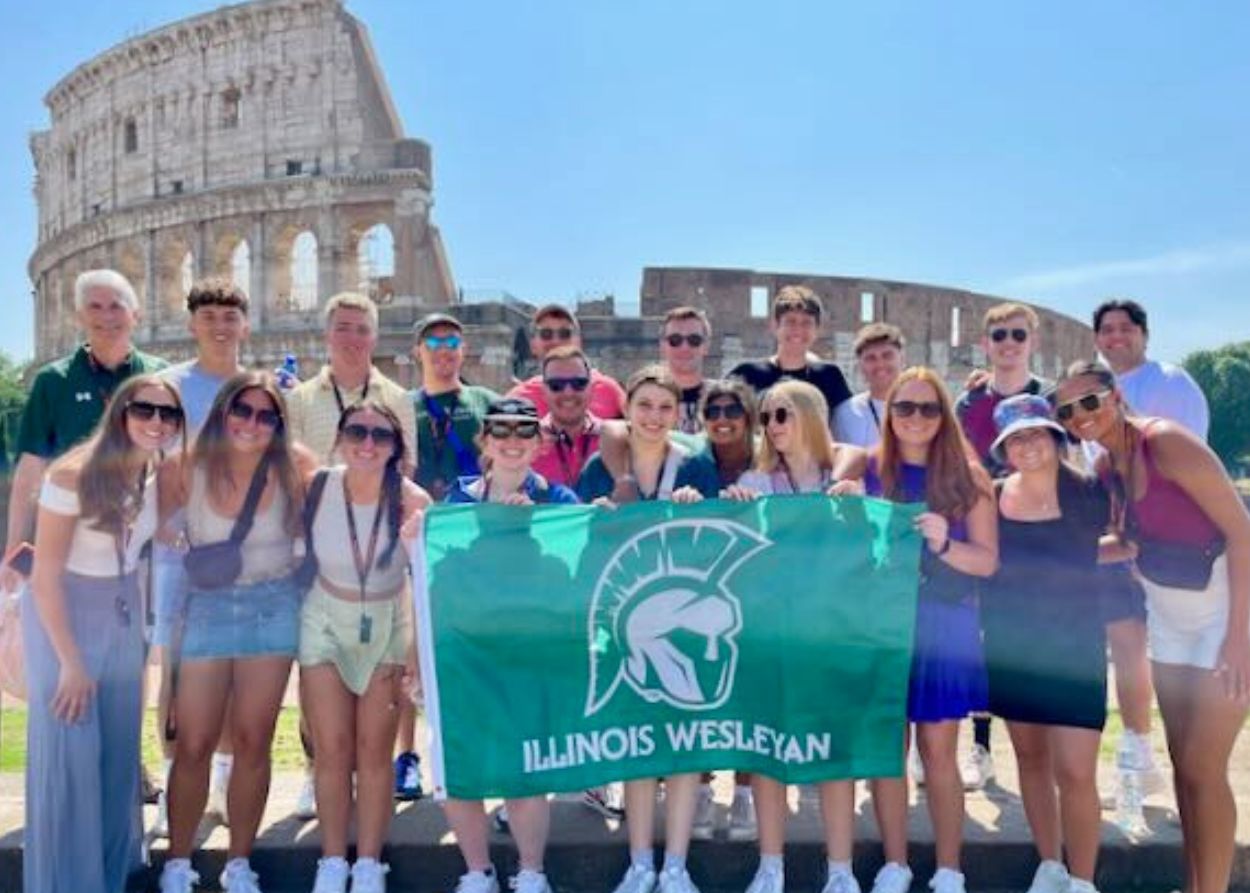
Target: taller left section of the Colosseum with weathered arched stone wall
x=249, y=126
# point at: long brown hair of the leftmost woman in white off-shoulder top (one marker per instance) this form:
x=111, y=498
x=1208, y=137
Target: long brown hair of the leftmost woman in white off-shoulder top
x=109, y=495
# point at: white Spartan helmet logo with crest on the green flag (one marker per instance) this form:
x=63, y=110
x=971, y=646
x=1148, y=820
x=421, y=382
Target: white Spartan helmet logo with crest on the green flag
x=663, y=620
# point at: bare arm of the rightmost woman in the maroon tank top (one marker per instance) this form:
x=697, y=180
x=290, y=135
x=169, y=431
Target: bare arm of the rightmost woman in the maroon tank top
x=1187, y=461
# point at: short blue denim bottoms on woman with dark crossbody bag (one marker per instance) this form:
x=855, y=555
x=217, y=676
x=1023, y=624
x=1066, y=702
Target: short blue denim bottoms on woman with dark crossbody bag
x=244, y=621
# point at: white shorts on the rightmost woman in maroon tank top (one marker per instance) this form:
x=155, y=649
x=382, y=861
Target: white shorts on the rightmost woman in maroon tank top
x=1188, y=626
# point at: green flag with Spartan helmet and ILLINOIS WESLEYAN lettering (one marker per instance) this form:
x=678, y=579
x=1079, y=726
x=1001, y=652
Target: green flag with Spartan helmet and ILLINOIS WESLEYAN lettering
x=567, y=647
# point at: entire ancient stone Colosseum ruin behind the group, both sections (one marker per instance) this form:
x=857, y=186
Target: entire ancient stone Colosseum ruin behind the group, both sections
x=261, y=142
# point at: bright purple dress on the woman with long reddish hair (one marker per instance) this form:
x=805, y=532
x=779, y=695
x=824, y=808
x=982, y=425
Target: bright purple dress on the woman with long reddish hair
x=948, y=665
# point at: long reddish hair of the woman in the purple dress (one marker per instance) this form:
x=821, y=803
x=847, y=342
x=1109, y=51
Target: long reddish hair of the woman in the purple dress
x=952, y=486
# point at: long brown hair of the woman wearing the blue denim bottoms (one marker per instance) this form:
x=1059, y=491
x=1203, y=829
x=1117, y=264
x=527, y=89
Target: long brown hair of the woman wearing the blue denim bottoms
x=212, y=451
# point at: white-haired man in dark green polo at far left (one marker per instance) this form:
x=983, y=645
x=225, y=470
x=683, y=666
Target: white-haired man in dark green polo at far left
x=68, y=396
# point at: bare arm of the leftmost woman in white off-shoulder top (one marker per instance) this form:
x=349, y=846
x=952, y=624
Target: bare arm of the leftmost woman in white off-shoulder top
x=53, y=540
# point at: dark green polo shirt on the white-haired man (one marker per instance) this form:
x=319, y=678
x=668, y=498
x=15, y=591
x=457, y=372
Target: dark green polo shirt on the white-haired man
x=68, y=400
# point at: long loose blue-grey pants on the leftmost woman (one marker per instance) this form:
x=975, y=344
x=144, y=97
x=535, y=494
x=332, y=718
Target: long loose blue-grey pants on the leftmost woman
x=83, y=790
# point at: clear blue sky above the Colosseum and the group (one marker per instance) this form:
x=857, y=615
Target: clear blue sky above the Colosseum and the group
x=1059, y=153
